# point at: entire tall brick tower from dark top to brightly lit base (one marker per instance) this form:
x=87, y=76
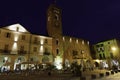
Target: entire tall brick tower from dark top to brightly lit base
x=54, y=29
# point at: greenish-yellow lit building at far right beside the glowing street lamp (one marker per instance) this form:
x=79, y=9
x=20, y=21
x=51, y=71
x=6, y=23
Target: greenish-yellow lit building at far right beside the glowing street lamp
x=107, y=53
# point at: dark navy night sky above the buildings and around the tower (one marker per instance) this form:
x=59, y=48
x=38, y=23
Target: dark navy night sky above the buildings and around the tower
x=94, y=20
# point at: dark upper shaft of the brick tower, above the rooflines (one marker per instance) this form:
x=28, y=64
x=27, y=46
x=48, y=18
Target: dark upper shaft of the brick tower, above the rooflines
x=54, y=22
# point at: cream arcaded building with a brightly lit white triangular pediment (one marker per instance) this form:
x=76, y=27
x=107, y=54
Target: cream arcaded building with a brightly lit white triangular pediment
x=18, y=47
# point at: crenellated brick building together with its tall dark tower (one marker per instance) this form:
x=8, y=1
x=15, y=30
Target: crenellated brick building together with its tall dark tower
x=65, y=48
